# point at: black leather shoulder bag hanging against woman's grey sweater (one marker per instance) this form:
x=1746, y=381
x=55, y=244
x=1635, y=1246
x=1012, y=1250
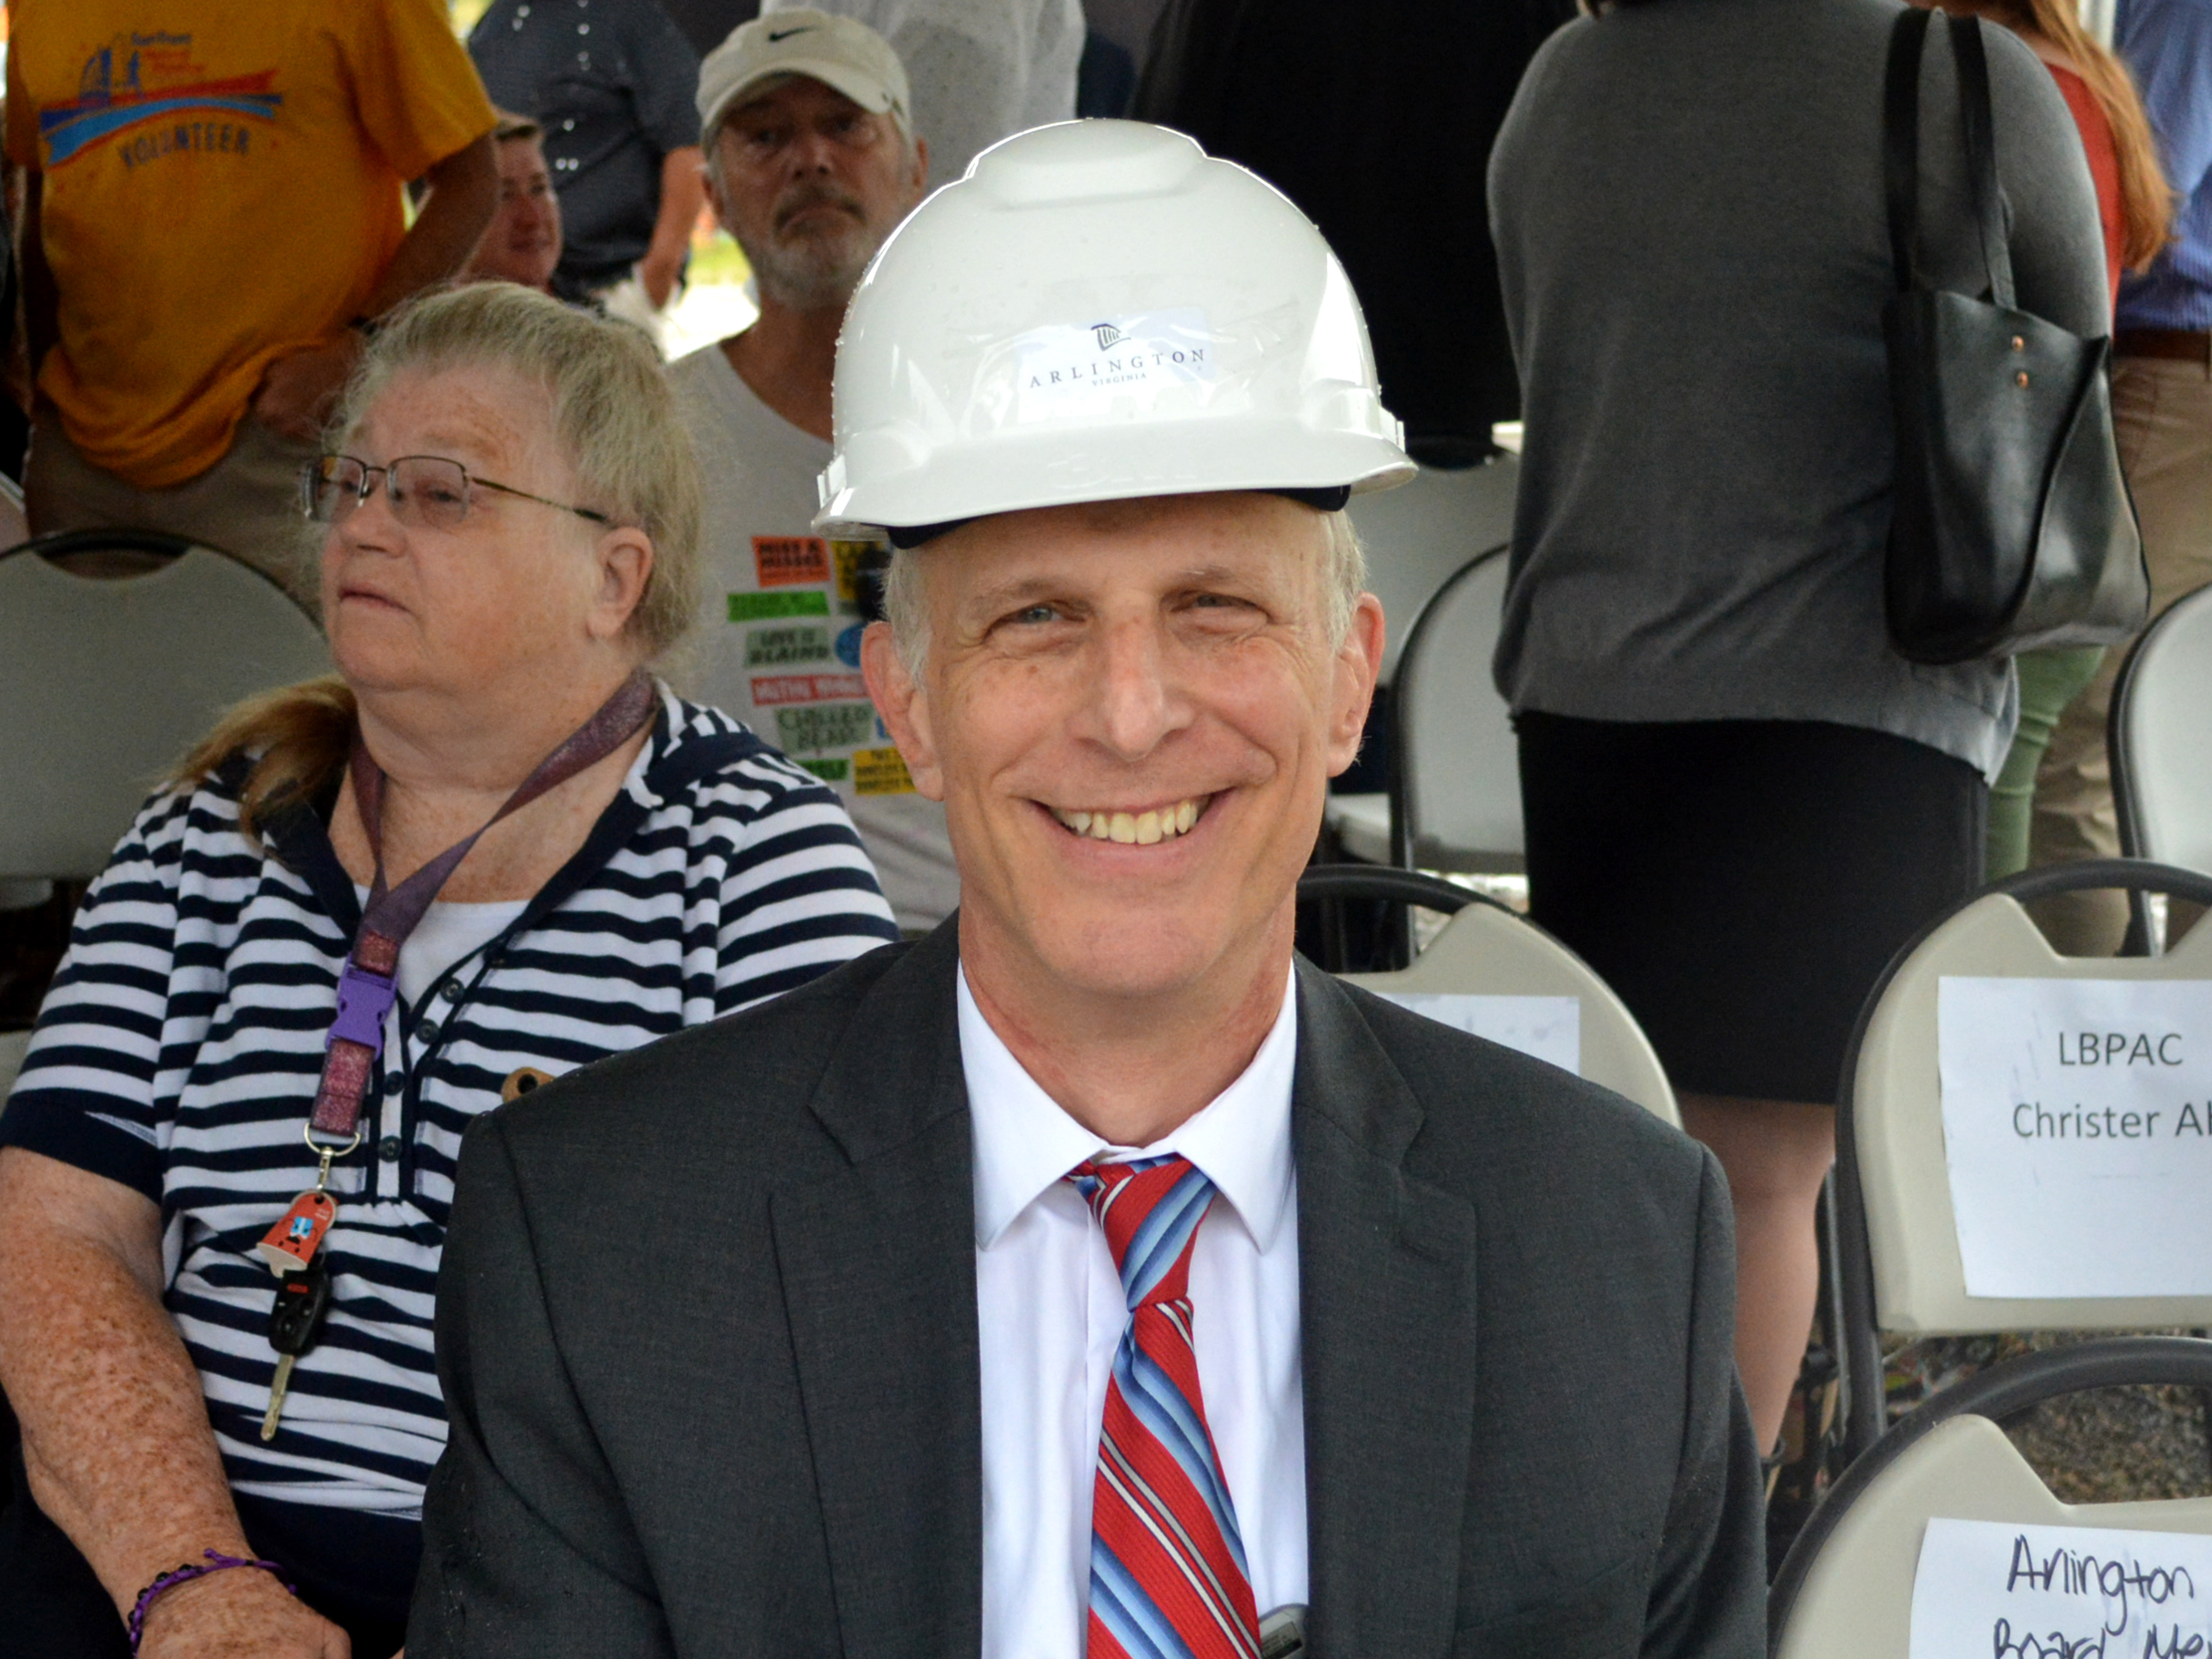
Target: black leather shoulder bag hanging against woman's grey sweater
x=2014, y=528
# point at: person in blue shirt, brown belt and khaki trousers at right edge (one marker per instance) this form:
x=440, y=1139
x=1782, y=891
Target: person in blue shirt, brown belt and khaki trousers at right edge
x=2162, y=413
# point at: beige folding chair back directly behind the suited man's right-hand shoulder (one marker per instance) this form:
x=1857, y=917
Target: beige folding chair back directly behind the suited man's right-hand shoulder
x=1490, y=952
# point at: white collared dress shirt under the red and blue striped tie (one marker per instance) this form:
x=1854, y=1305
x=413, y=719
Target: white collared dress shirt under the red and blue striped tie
x=1052, y=1313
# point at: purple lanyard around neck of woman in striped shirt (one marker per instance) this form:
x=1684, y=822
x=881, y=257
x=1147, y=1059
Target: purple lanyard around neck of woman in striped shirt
x=368, y=988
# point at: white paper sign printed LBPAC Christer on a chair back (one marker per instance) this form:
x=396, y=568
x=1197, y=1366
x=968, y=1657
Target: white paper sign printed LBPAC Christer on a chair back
x=2078, y=1134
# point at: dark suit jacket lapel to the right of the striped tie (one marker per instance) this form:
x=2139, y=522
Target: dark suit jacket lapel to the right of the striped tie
x=1388, y=1308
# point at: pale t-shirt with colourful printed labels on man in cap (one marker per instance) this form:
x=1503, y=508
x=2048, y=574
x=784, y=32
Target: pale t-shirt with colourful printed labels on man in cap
x=780, y=640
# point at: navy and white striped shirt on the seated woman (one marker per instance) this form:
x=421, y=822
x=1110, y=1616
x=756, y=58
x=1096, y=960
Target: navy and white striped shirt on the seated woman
x=180, y=1047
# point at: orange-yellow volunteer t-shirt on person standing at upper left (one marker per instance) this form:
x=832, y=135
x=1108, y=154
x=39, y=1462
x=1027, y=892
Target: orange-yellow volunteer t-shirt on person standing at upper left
x=220, y=189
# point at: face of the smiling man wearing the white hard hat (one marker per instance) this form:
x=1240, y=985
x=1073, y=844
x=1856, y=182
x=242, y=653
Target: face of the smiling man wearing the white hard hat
x=1131, y=713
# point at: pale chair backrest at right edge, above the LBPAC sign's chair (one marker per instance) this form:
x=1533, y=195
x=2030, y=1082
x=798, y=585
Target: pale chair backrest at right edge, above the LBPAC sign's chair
x=2162, y=740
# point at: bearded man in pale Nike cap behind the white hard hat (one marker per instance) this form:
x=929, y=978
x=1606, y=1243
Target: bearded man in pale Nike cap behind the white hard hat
x=811, y=163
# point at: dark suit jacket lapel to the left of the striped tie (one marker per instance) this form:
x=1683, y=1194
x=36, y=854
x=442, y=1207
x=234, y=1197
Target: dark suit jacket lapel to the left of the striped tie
x=879, y=1282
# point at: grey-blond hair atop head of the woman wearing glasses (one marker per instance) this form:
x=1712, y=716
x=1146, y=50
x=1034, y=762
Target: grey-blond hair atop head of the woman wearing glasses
x=614, y=417
